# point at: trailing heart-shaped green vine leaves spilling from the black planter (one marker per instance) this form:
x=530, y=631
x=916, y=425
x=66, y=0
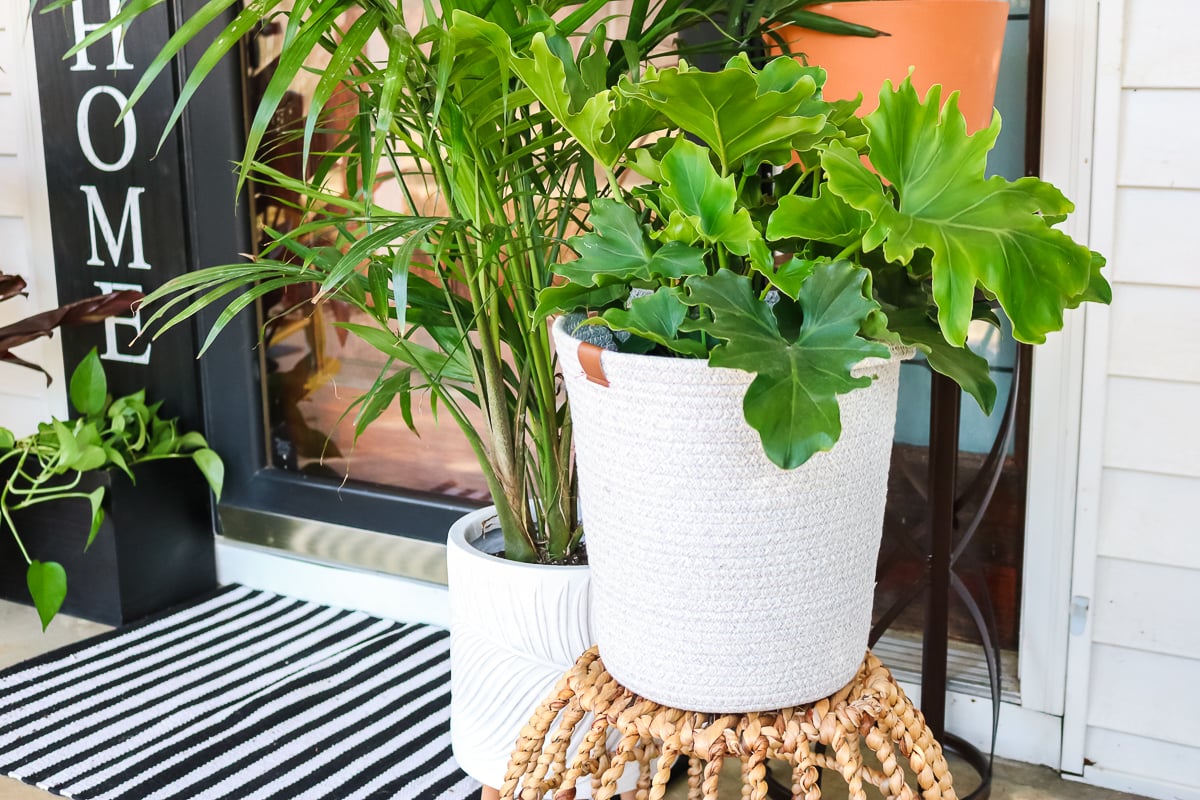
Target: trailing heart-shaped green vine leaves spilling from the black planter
x=110, y=434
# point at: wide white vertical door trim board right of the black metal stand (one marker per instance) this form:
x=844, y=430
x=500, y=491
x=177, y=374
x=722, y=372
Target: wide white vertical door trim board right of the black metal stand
x=1057, y=389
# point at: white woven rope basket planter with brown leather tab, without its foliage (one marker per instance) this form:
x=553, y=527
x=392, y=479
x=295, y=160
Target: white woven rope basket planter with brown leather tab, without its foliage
x=721, y=582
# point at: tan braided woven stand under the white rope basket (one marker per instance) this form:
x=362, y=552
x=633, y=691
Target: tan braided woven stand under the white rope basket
x=871, y=709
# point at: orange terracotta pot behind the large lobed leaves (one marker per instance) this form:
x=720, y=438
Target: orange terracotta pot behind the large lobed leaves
x=953, y=43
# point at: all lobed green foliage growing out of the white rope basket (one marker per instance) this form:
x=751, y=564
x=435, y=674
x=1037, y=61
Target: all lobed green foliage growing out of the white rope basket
x=775, y=232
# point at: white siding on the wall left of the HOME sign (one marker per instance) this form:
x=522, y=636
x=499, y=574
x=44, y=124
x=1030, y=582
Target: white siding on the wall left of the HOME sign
x=25, y=226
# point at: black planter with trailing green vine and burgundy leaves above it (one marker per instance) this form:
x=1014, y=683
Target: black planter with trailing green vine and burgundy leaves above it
x=61, y=485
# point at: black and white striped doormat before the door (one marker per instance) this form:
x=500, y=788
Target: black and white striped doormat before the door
x=242, y=696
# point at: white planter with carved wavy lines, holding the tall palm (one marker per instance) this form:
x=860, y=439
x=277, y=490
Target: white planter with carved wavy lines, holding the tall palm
x=514, y=630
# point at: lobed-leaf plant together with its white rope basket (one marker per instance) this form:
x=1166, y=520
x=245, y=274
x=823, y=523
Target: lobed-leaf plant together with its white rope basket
x=734, y=426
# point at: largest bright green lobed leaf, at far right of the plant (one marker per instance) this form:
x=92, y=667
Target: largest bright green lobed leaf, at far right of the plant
x=981, y=232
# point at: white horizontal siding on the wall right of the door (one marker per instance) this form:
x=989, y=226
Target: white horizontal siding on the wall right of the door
x=1139, y=537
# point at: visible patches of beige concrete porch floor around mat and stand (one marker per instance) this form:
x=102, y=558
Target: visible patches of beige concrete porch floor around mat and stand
x=21, y=639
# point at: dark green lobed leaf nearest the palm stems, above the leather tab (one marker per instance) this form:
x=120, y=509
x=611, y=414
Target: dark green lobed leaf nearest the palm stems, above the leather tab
x=619, y=251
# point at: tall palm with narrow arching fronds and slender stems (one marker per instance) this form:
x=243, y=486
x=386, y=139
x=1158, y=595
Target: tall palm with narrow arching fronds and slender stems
x=491, y=188
